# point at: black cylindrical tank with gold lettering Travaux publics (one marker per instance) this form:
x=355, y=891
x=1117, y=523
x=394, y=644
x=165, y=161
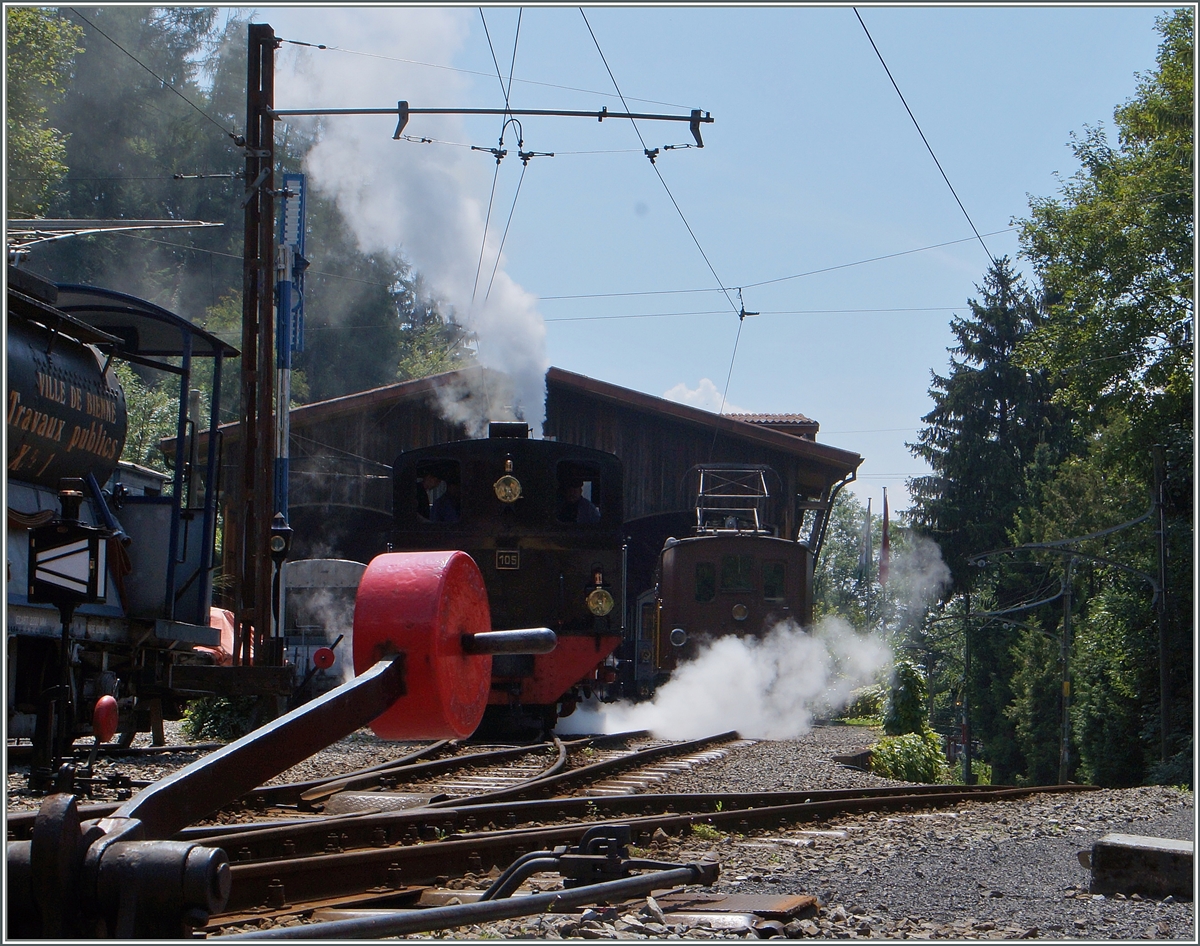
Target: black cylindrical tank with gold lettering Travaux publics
x=67, y=417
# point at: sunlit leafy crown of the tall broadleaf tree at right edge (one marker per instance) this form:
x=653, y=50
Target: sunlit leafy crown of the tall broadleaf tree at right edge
x=1117, y=254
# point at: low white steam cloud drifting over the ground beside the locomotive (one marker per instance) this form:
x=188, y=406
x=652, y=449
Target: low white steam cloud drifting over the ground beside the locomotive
x=770, y=688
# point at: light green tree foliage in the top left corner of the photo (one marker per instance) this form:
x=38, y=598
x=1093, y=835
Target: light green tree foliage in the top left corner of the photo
x=41, y=47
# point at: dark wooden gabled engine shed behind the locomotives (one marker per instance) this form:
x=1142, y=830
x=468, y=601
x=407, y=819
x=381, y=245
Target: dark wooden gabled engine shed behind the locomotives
x=343, y=450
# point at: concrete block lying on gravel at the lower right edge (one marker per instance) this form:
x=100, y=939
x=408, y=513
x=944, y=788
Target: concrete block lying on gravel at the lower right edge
x=1153, y=867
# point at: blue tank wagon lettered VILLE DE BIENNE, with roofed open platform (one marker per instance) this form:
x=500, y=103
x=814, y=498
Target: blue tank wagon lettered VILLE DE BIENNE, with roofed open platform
x=110, y=565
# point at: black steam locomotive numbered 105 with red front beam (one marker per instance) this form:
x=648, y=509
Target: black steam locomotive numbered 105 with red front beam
x=544, y=523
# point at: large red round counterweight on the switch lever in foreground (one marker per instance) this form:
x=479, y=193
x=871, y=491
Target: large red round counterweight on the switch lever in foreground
x=421, y=604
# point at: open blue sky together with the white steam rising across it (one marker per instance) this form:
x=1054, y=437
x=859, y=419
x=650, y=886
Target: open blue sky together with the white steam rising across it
x=812, y=165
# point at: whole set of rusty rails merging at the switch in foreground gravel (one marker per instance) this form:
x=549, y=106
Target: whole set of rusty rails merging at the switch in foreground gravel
x=392, y=837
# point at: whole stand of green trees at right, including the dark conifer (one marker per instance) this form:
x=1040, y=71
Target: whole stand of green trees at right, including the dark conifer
x=1043, y=432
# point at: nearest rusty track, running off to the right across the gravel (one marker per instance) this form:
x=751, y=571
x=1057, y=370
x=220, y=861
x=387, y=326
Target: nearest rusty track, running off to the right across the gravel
x=393, y=859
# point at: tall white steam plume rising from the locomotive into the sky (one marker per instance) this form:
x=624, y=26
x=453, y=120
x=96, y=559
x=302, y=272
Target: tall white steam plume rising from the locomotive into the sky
x=424, y=200
